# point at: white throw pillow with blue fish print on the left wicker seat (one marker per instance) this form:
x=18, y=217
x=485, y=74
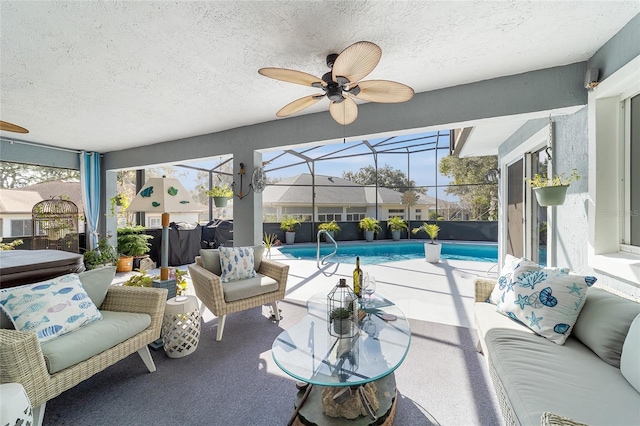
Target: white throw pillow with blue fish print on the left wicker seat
x=49, y=308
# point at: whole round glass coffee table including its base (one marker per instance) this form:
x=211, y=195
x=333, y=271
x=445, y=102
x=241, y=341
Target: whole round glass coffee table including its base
x=350, y=380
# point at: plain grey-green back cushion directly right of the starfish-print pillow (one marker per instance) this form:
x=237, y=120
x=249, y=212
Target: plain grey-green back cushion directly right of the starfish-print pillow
x=604, y=323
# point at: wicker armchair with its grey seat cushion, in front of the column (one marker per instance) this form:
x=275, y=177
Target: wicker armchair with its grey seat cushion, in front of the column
x=269, y=286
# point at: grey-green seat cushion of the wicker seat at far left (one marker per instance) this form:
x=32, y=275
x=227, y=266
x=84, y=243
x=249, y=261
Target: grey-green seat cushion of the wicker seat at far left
x=74, y=347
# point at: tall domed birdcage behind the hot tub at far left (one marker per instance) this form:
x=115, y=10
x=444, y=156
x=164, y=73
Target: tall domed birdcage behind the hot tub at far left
x=55, y=225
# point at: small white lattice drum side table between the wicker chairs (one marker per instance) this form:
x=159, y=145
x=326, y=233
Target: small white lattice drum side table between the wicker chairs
x=181, y=326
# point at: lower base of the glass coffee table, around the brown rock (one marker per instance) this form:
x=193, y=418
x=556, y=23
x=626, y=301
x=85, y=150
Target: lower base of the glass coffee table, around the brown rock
x=311, y=412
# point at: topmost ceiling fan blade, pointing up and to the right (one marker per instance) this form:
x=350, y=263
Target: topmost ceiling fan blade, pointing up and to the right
x=356, y=61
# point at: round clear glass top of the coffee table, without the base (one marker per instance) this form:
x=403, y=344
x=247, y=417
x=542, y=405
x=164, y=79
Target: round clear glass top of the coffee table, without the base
x=308, y=352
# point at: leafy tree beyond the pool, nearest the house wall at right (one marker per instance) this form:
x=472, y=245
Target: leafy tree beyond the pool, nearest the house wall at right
x=470, y=183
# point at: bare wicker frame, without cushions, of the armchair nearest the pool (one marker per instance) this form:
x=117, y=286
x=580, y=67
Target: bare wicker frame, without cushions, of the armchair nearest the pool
x=208, y=287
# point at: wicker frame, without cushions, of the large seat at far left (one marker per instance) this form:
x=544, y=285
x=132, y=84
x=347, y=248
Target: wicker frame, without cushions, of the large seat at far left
x=22, y=360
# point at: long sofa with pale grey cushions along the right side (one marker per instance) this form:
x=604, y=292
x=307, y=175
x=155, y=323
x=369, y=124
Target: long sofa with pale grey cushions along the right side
x=539, y=382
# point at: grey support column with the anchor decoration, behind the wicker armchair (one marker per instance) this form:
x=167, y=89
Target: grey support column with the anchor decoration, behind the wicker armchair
x=247, y=212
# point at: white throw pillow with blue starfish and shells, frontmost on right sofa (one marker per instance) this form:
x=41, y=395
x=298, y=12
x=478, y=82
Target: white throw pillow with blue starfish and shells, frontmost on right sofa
x=547, y=300
